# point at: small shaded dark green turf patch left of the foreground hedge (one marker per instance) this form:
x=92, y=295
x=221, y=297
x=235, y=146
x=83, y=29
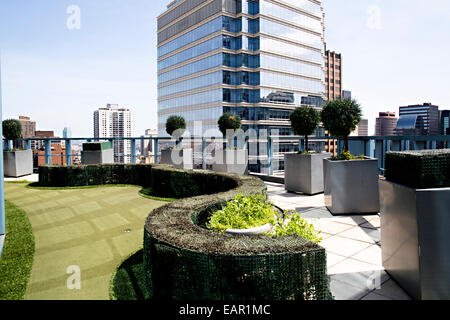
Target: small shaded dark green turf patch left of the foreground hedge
x=128, y=282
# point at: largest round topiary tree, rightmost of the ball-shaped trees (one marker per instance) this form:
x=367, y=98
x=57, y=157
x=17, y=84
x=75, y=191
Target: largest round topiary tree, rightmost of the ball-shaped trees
x=340, y=118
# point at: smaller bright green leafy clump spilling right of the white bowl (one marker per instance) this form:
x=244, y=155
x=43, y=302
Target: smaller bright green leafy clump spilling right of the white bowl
x=295, y=224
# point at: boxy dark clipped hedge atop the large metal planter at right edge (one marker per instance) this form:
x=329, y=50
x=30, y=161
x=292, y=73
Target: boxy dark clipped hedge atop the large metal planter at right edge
x=419, y=169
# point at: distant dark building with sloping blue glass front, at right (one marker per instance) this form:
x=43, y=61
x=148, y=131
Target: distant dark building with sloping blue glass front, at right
x=418, y=120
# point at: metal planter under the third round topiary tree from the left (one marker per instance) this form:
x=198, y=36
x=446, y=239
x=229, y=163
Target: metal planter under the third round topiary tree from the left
x=231, y=161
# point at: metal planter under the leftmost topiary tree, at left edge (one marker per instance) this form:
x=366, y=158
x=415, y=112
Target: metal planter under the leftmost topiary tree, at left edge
x=18, y=163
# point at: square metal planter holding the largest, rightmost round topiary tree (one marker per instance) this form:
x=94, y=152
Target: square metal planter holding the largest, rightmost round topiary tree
x=351, y=187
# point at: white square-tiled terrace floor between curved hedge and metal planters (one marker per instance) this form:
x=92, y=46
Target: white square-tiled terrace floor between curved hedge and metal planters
x=353, y=248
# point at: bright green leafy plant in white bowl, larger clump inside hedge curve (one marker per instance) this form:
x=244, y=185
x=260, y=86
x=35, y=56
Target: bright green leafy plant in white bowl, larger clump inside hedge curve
x=244, y=212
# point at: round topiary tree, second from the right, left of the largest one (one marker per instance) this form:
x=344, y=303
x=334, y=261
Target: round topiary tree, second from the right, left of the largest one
x=304, y=121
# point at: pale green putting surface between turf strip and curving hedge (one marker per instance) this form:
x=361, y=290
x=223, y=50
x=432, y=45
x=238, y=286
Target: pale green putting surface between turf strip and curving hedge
x=93, y=229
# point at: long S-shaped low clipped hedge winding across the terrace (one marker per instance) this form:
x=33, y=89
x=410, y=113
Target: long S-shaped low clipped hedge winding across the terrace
x=185, y=261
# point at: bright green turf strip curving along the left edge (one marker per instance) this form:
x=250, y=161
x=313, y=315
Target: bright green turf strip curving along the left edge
x=17, y=256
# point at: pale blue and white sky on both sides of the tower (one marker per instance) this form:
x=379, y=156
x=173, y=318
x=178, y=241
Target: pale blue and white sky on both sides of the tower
x=58, y=71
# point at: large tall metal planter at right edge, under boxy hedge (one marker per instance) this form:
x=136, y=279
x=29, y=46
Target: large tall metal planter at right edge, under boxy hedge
x=415, y=239
